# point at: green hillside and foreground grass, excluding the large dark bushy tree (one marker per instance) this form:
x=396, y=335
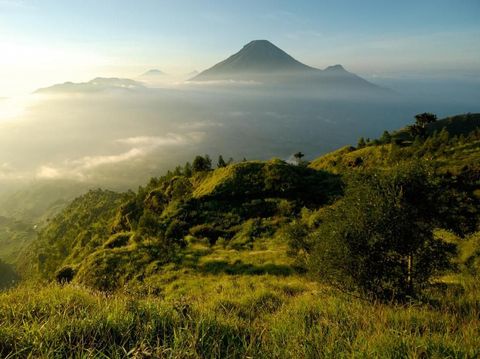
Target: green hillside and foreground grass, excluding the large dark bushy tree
x=232, y=292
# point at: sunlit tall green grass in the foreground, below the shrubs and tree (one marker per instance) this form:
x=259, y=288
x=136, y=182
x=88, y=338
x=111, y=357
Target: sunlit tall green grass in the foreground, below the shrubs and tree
x=232, y=311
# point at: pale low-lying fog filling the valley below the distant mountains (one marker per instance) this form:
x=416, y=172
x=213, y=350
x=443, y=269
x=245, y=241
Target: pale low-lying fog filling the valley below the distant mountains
x=120, y=137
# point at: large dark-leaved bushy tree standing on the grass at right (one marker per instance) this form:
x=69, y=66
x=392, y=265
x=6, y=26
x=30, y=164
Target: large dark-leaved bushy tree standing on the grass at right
x=378, y=239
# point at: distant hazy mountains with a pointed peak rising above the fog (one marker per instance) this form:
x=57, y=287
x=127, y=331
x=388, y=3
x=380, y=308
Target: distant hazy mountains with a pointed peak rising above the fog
x=259, y=61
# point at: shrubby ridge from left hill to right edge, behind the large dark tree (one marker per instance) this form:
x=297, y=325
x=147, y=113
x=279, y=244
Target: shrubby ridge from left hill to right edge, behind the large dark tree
x=110, y=239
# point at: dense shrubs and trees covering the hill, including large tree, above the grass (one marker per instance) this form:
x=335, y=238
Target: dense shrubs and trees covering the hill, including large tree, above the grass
x=378, y=238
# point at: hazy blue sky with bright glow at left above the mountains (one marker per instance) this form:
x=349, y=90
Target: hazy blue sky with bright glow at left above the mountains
x=48, y=41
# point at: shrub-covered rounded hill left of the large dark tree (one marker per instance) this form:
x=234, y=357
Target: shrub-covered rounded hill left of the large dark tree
x=109, y=239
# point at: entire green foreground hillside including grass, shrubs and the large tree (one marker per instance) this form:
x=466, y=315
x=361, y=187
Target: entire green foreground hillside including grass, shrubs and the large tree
x=218, y=263
